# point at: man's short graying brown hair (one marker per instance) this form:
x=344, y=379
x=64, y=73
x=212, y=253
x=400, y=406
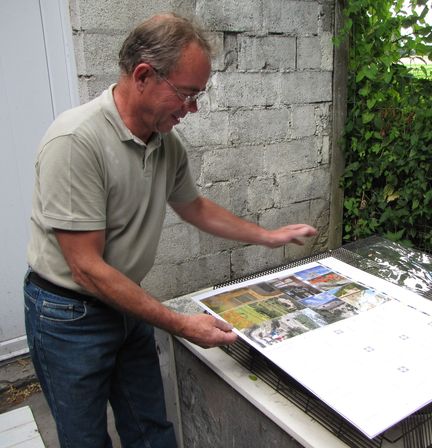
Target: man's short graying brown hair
x=159, y=41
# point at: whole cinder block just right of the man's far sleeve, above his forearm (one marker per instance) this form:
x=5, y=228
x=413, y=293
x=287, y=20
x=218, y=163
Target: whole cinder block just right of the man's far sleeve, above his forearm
x=232, y=163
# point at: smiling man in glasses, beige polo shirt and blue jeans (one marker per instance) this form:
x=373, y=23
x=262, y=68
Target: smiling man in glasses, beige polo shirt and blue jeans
x=104, y=173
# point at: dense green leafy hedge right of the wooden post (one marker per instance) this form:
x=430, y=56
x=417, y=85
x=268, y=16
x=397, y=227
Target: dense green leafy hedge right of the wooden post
x=388, y=136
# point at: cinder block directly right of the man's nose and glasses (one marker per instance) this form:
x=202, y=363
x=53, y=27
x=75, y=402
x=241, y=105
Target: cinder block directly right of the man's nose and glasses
x=246, y=89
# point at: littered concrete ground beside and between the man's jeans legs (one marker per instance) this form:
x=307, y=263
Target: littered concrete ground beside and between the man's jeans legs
x=18, y=388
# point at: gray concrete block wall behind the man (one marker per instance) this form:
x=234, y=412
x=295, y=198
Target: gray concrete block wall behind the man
x=262, y=146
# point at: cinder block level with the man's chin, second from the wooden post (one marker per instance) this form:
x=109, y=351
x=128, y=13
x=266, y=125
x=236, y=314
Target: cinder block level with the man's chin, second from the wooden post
x=259, y=126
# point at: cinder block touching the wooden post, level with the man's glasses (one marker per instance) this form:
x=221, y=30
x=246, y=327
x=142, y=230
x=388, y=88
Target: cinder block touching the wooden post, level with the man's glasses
x=306, y=87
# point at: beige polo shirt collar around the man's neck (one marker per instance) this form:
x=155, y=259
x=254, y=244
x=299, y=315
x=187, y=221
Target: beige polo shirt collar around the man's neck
x=112, y=115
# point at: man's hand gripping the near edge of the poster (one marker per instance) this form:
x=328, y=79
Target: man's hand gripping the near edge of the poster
x=207, y=331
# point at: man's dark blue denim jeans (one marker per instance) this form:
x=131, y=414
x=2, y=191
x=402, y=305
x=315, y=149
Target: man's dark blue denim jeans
x=87, y=354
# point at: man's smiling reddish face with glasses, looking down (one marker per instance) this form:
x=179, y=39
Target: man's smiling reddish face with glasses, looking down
x=166, y=97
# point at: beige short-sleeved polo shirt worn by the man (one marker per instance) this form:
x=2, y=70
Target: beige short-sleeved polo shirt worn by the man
x=93, y=174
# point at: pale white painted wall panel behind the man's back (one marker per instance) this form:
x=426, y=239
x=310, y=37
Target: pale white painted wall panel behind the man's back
x=37, y=81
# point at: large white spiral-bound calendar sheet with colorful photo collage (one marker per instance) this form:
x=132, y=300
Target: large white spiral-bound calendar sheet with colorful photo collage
x=360, y=344
